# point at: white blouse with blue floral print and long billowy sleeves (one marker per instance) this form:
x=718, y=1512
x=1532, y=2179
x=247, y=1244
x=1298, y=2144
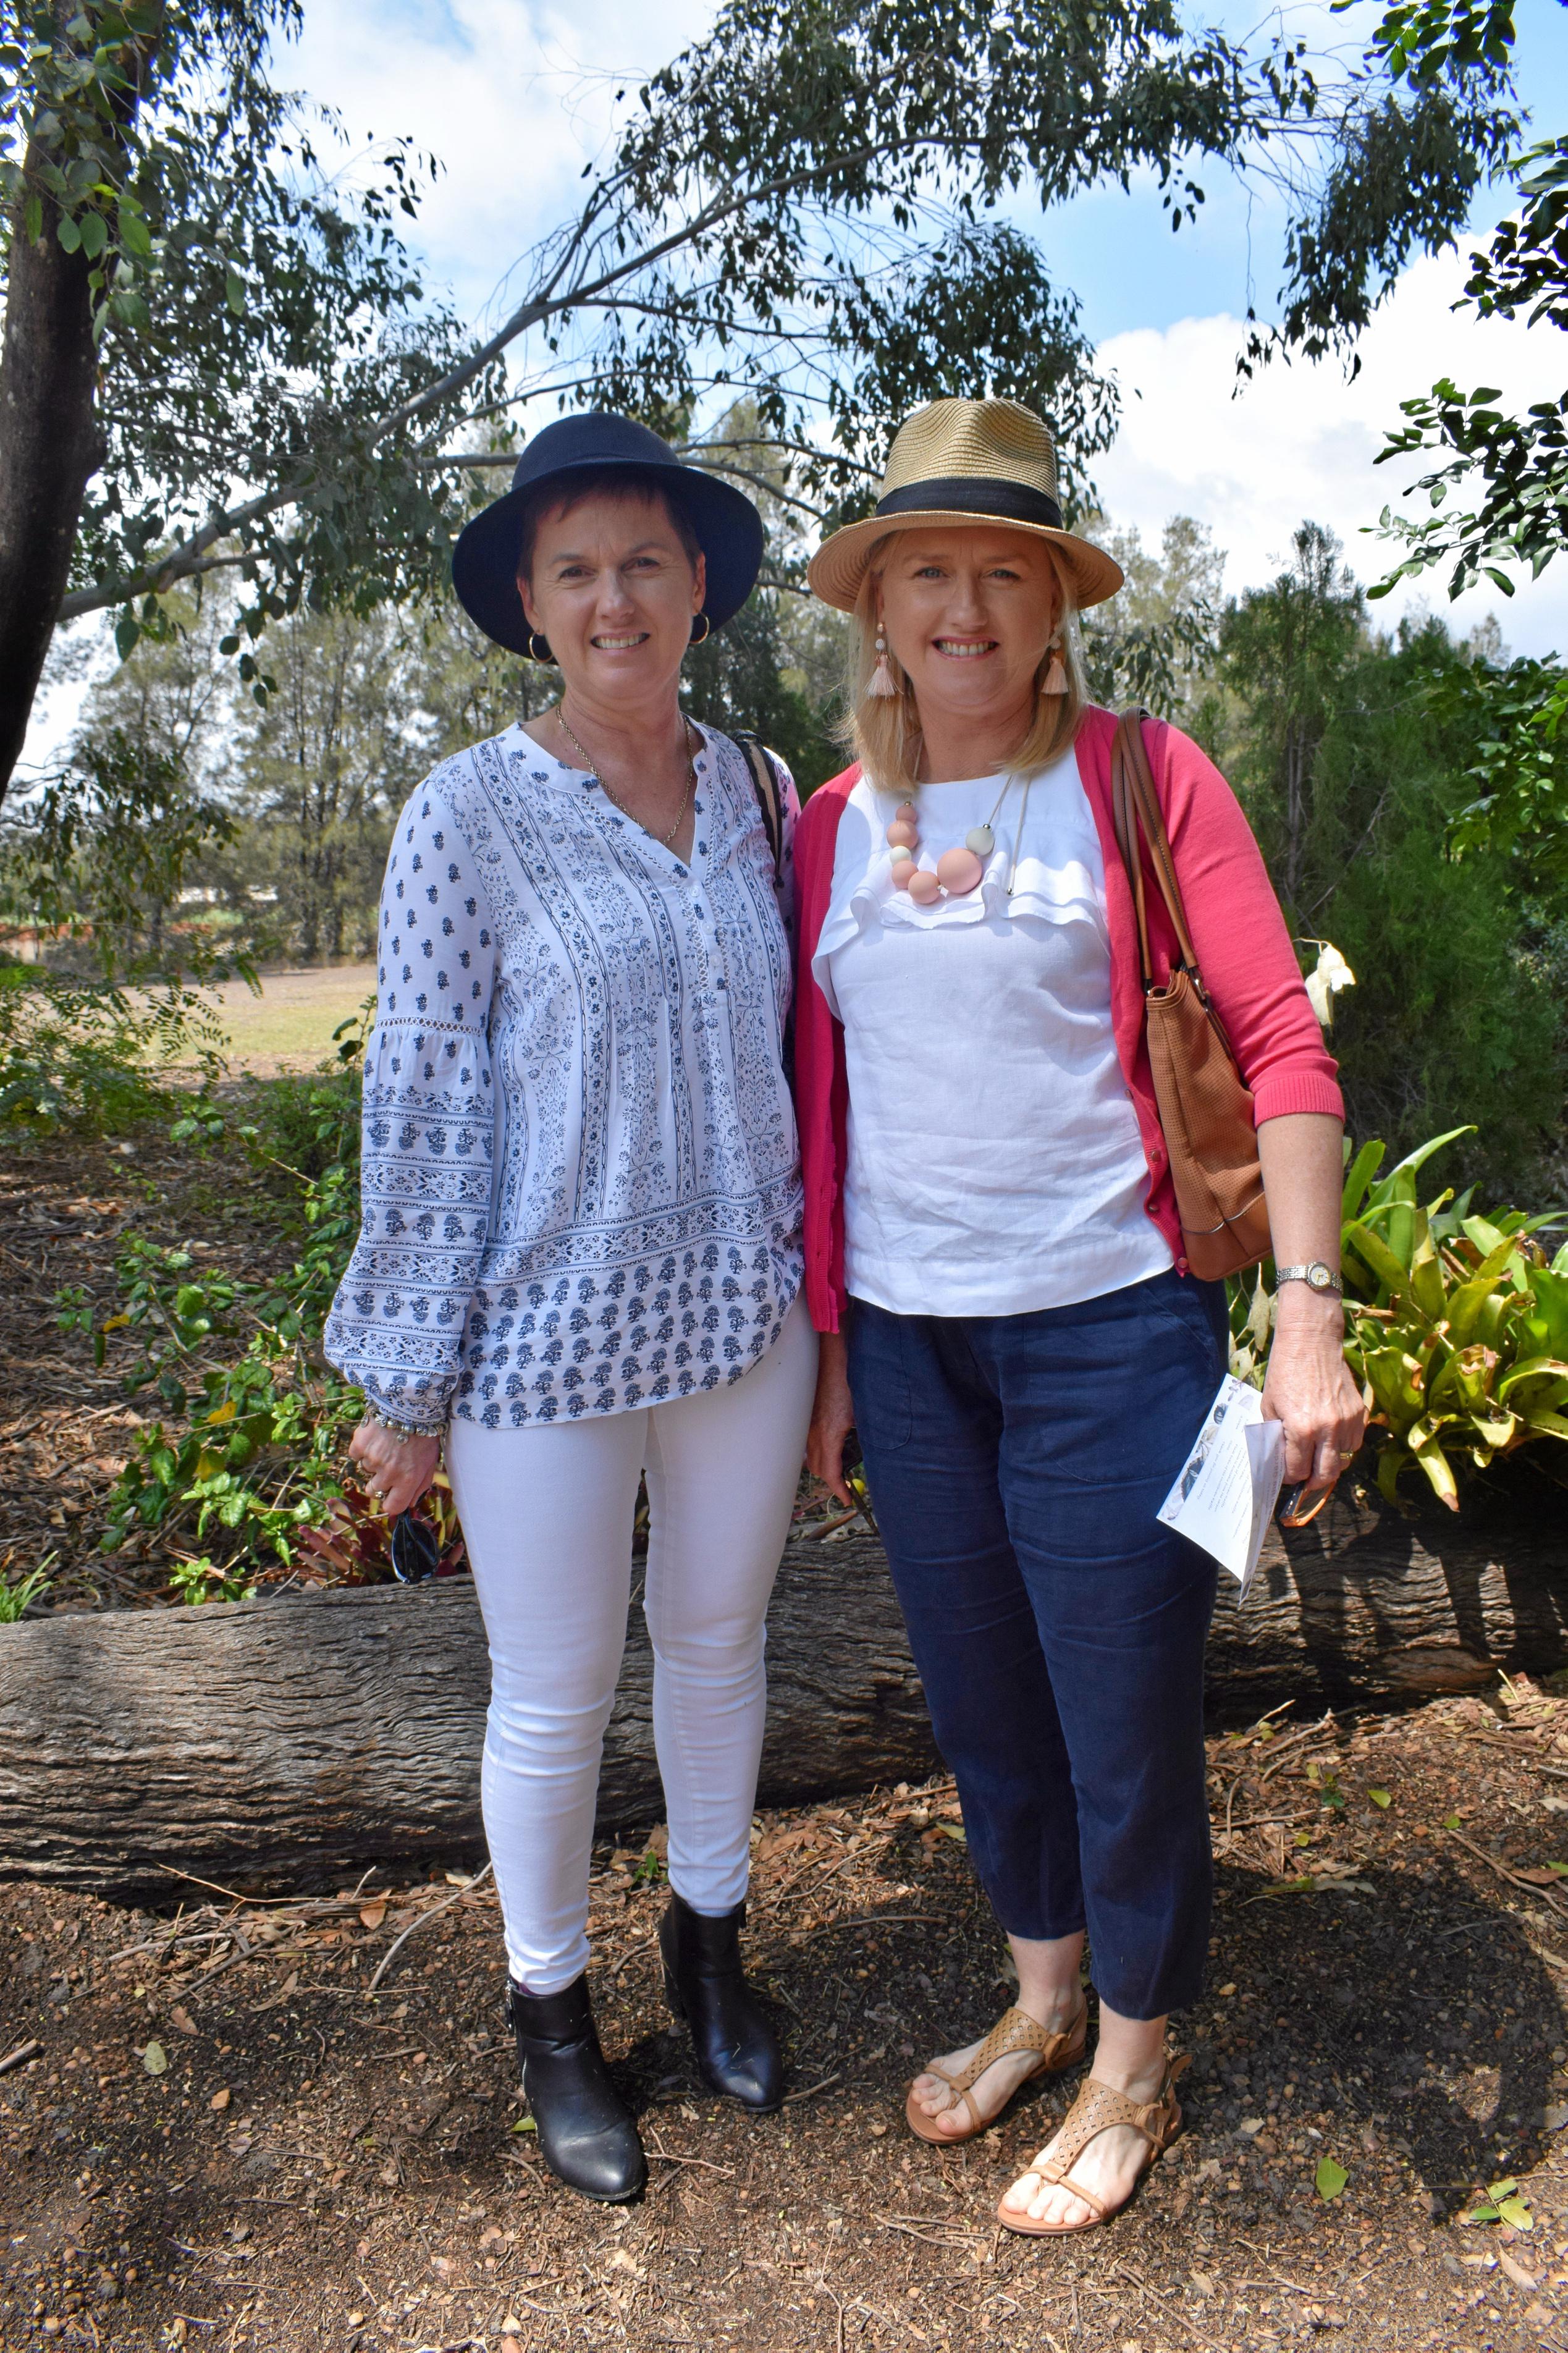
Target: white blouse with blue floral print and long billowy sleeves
x=580, y=1178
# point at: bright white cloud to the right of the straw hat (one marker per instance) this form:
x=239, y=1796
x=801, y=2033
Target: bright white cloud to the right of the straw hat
x=1301, y=441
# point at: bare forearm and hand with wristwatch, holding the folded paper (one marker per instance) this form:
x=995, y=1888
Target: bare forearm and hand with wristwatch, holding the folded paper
x=1310, y=1387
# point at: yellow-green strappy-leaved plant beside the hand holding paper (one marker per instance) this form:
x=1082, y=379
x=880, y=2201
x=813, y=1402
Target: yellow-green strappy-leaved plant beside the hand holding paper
x=1454, y=1324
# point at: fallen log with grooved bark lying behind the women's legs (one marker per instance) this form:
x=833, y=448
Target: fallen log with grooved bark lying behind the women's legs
x=293, y=1740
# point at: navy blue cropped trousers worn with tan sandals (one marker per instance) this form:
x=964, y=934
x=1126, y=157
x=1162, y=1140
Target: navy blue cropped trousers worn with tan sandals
x=1018, y=1465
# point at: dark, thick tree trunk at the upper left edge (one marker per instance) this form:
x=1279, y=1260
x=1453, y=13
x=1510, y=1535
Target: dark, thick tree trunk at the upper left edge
x=48, y=451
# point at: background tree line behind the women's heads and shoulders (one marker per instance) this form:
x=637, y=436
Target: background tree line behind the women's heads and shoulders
x=201, y=825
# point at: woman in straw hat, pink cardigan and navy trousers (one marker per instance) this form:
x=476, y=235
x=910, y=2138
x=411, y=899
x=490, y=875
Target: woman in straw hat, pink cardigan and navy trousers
x=995, y=1260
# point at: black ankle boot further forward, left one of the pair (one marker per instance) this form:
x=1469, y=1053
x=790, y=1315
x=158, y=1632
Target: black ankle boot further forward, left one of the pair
x=587, y=2135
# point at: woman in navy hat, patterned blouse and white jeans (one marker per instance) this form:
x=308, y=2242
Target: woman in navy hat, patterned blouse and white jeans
x=580, y=1253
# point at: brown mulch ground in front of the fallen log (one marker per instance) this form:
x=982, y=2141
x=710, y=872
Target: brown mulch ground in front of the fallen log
x=220, y=2131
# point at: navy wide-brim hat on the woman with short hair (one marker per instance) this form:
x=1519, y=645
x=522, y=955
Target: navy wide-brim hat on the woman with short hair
x=569, y=455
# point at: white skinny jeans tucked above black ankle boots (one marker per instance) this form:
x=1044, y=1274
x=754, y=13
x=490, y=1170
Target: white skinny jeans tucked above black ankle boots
x=547, y=1517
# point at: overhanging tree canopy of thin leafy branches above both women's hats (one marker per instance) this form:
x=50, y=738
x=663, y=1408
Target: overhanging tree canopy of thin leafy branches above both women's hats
x=802, y=206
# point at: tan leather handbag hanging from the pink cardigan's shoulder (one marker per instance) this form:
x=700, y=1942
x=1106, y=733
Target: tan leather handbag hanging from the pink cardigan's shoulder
x=1204, y=1107
